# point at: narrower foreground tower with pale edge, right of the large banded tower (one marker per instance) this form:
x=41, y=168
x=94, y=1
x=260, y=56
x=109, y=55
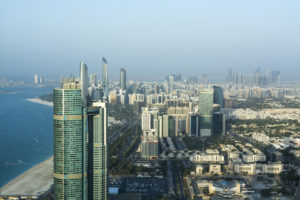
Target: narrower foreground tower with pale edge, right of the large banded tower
x=97, y=152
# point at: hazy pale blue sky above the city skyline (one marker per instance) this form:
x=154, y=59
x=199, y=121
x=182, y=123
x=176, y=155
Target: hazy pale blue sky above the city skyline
x=150, y=39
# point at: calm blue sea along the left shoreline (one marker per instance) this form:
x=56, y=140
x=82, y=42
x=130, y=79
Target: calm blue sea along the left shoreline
x=26, y=136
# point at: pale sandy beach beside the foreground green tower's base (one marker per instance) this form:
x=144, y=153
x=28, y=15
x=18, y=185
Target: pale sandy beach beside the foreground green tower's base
x=32, y=182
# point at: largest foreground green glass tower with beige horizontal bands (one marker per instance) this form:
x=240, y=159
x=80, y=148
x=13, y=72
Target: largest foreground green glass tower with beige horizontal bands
x=70, y=142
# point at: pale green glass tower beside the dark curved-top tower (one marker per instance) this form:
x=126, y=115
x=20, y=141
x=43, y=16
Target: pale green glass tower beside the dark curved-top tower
x=206, y=111
